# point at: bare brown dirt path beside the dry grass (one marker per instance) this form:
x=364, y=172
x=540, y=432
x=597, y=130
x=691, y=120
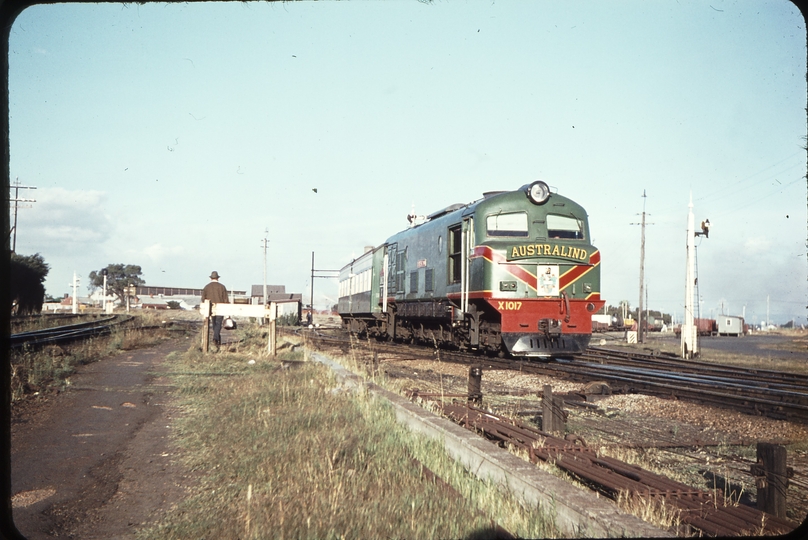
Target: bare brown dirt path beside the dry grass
x=96, y=461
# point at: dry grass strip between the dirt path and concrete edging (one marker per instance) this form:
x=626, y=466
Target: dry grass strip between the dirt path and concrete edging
x=279, y=452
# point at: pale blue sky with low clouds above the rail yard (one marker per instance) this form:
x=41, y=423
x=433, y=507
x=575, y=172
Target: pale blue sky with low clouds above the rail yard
x=173, y=135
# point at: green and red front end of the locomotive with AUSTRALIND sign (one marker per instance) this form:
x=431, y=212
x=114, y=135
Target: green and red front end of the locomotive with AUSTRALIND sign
x=533, y=267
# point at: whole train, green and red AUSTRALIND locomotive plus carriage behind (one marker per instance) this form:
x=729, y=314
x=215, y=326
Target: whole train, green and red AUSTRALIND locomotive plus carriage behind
x=512, y=273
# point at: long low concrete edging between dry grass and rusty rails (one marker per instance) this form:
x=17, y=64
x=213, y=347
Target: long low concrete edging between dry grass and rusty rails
x=577, y=512
